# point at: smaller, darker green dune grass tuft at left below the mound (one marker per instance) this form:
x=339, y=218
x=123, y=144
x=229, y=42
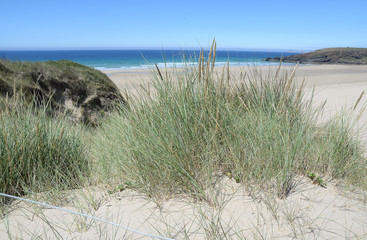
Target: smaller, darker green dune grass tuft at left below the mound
x=39, y=152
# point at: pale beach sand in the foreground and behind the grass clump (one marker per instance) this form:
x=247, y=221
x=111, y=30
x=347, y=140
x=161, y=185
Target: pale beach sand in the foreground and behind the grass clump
x=310, y=212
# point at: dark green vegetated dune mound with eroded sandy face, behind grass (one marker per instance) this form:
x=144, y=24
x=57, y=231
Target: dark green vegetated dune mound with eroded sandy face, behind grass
x=81, y=92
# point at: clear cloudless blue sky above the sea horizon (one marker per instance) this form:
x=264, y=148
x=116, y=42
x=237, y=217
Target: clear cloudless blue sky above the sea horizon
x=113, y=24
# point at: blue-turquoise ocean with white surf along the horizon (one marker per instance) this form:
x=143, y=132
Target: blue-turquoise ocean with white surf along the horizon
x=140, y=59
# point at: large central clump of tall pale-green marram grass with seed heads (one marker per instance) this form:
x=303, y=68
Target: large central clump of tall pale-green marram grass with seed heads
x=194, y=125
